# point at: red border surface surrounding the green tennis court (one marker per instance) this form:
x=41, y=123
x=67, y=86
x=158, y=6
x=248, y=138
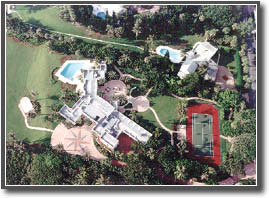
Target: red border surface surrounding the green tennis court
x=211, y=110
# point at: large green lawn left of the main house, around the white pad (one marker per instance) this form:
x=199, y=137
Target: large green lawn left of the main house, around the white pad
x=28, y=69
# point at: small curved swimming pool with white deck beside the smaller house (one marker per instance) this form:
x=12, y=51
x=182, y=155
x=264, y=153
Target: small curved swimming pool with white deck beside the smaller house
x=175, y=56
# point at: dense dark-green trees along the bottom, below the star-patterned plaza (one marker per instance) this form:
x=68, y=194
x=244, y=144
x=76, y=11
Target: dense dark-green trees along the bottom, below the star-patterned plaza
x=39, y=164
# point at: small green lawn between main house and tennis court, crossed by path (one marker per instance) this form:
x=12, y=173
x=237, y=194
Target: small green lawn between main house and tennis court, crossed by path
x=165, y=107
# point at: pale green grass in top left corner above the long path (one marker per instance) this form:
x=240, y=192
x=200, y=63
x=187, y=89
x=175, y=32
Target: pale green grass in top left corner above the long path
x=48, y=18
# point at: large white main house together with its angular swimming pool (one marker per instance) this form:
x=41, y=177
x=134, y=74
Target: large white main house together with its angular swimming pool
x=109, y=122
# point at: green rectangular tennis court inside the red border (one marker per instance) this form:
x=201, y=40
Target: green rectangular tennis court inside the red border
x=202, y=134
